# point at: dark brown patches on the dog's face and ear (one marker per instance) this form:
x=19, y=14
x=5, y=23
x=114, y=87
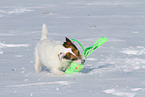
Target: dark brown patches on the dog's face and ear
x=69, y=56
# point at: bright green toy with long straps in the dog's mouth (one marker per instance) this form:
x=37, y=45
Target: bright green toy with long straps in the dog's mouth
x=75, y=67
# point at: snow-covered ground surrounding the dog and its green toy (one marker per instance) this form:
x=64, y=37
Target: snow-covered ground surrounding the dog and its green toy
x=116, y=69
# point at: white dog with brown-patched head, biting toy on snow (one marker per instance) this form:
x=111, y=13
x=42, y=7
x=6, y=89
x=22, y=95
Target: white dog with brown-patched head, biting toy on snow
x=56, y=56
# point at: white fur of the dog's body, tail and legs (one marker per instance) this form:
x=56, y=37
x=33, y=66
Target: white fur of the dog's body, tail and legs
x=50, y=53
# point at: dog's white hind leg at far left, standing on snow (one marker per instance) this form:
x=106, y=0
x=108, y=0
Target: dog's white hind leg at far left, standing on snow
x=38, y=65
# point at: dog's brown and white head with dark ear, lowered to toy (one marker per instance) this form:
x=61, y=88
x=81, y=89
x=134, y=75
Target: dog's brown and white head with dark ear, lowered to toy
x=72, y=53
